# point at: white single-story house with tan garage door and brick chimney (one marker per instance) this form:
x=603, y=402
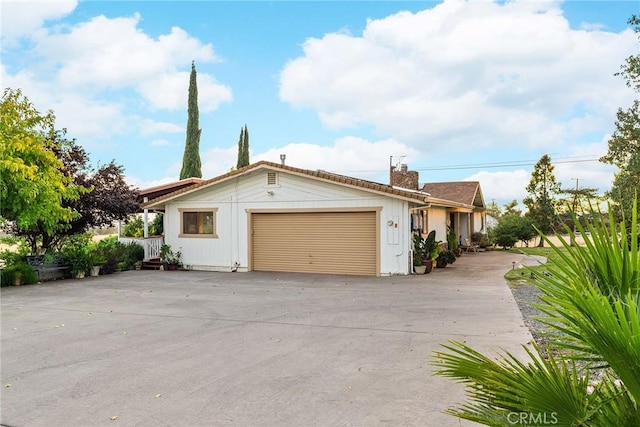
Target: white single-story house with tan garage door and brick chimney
x=274, y=217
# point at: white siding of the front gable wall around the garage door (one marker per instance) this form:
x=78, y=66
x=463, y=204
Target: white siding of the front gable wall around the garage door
x=251, y=192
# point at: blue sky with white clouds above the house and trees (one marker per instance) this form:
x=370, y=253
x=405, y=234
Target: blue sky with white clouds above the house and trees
x=458, y=90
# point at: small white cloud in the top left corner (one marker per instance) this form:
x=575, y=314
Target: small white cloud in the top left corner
x=21, y=18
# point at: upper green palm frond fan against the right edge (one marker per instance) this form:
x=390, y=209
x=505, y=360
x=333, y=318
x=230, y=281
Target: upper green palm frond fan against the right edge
x=593, y=298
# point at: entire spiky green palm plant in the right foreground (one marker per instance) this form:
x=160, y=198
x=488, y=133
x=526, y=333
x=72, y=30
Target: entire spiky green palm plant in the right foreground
x=593, y=300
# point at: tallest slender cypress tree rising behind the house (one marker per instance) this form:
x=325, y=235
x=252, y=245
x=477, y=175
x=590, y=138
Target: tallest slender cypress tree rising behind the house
x=191, y=165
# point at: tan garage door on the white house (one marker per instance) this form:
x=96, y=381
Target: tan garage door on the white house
x=317, y=242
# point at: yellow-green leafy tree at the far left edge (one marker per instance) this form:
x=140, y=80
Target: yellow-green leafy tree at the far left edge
x=33, y=185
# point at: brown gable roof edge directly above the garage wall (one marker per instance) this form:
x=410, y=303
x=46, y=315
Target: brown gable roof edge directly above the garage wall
x=416, y=196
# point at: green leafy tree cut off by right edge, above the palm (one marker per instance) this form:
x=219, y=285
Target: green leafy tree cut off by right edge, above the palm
x=624, y=144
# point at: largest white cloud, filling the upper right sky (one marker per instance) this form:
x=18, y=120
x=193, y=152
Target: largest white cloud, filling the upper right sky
x=465, y=73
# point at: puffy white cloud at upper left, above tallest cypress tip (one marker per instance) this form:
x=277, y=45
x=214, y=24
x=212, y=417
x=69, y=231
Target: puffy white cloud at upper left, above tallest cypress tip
x=114, y=52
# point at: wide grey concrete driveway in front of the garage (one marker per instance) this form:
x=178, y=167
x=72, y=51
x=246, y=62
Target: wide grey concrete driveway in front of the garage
x=152, y=348
